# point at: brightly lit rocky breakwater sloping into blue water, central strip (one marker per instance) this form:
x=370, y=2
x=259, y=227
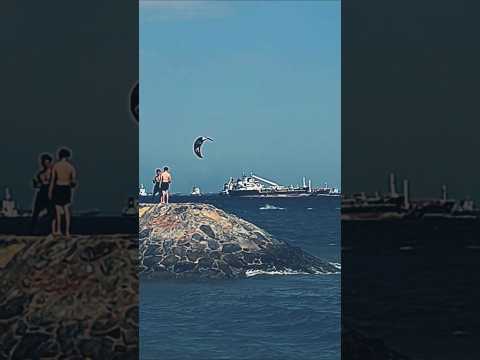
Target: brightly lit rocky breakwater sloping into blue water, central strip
x=199, y=240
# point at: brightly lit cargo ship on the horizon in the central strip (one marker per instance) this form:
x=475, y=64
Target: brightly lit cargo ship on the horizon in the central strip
x=256, y=186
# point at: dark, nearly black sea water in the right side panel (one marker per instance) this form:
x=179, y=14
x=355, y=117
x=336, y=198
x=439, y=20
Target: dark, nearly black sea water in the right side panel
x=414, y=285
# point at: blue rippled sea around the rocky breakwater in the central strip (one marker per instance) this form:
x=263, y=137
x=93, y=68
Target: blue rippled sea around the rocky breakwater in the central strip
x=259, y=318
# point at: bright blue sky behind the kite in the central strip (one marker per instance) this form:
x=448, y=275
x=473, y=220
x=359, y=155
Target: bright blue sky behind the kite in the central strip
x=261, y=78
